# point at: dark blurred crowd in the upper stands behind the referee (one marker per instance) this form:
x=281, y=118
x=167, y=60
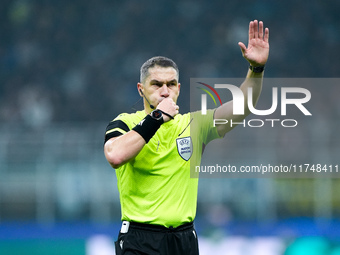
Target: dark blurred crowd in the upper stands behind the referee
x=64, y=61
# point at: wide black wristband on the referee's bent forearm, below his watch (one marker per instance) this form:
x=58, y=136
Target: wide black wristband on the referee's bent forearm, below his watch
x=148, y=127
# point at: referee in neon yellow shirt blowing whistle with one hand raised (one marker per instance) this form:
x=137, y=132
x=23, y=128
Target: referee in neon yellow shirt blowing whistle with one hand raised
x=152, y=150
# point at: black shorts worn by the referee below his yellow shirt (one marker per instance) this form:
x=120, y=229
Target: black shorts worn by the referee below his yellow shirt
x=147, y=239
